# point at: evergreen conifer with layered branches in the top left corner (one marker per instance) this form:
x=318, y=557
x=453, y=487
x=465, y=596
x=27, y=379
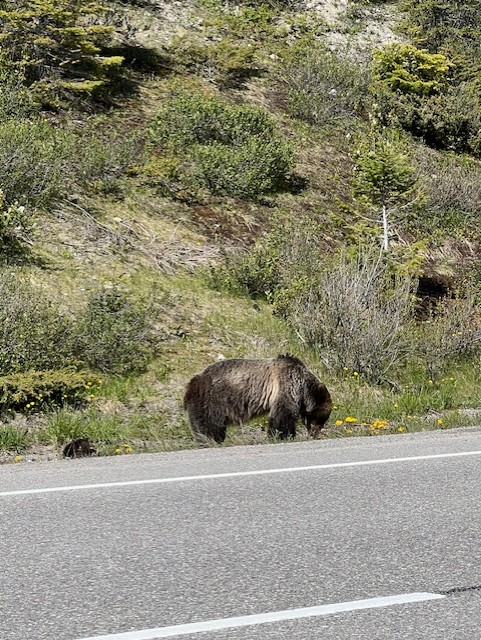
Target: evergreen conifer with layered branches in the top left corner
x=56, y=45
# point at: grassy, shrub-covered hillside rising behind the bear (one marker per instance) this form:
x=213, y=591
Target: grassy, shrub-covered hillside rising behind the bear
x=186, y=181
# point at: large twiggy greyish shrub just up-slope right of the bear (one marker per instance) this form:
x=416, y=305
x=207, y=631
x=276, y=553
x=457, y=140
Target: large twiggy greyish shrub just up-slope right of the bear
x=355, y=314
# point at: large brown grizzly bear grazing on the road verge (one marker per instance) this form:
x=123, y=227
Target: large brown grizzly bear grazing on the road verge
x=234, y=391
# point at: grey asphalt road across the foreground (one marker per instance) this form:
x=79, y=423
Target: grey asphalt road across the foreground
x=363, y=522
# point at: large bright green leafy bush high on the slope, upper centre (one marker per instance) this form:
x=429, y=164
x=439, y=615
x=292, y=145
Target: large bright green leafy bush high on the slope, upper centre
x=232, y=150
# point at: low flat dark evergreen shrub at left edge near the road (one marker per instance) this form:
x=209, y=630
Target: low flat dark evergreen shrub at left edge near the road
x=37, y=390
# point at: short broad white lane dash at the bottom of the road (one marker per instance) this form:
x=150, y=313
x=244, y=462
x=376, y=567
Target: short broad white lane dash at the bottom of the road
x=262, y=618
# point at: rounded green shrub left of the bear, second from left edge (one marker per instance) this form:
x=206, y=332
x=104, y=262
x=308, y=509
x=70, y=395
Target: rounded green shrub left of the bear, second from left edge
x=114, y=333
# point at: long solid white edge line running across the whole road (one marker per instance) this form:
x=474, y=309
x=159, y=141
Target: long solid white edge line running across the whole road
x=235, y=474
